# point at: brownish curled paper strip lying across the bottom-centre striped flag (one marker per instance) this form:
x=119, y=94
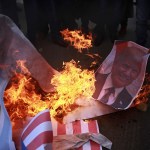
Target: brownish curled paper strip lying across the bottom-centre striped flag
x=64, y=142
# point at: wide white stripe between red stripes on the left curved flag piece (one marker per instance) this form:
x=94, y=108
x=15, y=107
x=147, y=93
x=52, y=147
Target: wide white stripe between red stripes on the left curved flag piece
x=45, y=126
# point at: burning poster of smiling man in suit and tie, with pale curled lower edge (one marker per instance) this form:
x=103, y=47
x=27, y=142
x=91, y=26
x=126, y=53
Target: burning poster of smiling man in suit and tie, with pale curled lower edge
x=124, y=68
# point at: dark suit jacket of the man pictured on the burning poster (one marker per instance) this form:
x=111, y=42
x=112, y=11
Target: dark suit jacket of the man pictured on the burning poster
x=122, y=101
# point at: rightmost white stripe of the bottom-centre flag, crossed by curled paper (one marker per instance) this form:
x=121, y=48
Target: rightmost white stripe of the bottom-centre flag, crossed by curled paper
x=85, y=129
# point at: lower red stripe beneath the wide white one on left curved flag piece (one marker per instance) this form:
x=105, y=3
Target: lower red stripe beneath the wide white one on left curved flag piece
x=43, y=138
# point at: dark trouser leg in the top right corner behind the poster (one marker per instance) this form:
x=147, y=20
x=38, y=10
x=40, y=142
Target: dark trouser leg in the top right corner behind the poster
x=142, y=17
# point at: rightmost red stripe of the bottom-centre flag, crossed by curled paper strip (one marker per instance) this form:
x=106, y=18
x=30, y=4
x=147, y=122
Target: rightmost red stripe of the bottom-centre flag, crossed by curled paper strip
x=93, y=129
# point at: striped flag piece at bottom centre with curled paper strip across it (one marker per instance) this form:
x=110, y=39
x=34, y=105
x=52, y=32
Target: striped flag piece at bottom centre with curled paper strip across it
x=80, y=134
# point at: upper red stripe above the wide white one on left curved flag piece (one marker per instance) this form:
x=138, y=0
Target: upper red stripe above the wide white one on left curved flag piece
x=40, y=119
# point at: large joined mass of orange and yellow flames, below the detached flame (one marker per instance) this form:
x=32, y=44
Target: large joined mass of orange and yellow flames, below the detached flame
x=24, y=98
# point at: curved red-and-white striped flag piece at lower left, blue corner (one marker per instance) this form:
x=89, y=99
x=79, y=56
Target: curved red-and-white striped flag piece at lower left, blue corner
x=38, y=133
